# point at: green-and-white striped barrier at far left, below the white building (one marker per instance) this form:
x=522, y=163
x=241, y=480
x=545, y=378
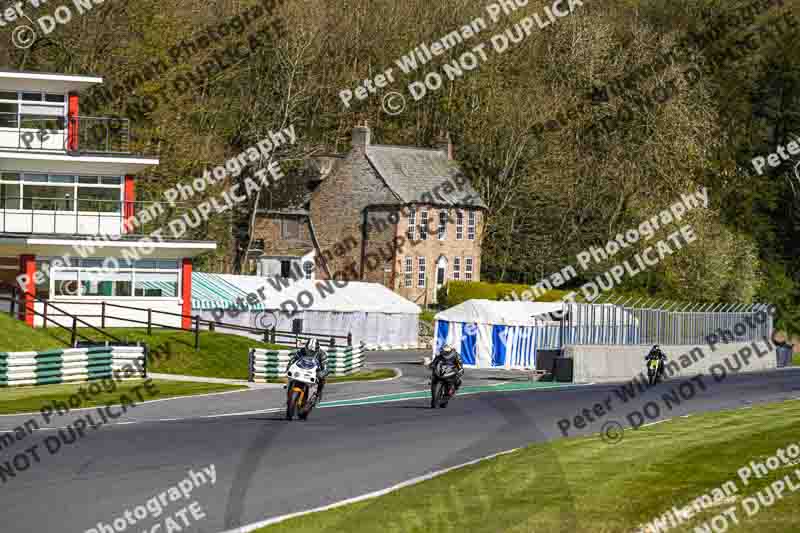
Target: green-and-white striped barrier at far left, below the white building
x=69, y=365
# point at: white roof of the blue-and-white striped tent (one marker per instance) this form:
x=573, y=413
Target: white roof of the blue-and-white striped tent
x=510, y=313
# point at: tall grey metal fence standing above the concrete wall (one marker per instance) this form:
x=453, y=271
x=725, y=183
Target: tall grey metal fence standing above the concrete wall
x=642, y=322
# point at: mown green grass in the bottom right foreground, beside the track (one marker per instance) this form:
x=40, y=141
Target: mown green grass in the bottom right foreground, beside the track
x=588, y=485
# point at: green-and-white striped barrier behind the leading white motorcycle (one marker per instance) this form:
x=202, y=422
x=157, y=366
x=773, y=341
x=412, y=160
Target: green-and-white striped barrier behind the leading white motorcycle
x=271, y=364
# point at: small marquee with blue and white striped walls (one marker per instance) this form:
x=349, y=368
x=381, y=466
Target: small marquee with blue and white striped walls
x=499, y=334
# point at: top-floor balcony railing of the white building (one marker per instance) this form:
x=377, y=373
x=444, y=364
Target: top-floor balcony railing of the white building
x=76, y=134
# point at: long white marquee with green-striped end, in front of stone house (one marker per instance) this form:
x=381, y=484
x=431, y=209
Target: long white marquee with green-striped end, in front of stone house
x=371, y=312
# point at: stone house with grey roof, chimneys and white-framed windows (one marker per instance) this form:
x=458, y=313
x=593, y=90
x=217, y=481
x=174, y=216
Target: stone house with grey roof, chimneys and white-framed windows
x=405, y=217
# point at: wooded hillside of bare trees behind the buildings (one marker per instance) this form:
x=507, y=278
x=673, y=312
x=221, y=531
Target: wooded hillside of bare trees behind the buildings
x=574, y=134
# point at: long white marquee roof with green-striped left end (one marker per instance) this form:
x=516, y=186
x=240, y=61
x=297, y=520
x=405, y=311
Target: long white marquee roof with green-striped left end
x=221, y=291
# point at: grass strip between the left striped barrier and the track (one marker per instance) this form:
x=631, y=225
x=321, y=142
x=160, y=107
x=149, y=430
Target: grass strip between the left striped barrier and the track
x=29, y=399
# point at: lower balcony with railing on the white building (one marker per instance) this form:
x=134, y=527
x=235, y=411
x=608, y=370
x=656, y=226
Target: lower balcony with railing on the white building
x=66, y=216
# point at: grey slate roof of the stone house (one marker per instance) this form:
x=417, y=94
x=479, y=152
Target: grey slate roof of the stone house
x=413, y=172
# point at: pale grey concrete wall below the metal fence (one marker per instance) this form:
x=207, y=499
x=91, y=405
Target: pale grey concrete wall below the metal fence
x=595, y=363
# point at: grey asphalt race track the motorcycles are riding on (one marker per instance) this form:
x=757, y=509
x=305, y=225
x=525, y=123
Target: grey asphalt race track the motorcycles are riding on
x=267, y=467
